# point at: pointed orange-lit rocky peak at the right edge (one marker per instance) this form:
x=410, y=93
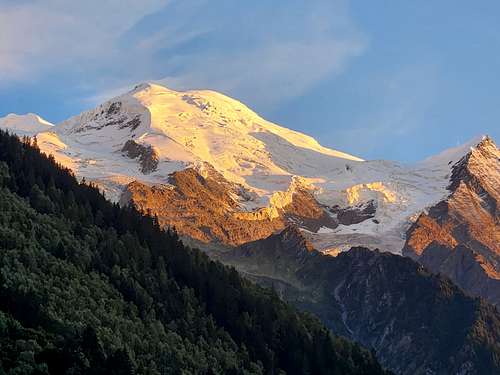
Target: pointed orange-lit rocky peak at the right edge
x=460, y=236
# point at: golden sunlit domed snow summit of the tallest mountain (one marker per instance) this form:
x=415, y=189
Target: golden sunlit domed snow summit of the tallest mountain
x=202, y=127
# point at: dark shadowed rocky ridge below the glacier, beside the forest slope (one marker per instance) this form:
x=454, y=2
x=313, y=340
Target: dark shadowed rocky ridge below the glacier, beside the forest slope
x=417, y=322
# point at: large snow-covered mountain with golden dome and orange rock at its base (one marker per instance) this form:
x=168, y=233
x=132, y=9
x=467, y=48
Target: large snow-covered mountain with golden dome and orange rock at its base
x=261, y=174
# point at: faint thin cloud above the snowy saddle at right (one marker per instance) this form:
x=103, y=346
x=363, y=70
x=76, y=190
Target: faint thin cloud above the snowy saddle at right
x=400, y=101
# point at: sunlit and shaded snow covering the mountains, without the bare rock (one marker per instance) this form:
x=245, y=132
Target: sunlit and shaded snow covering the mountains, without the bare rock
x=219, y=135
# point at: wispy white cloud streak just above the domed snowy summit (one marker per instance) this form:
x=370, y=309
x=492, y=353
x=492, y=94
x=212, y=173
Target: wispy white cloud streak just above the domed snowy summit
x=269, y=73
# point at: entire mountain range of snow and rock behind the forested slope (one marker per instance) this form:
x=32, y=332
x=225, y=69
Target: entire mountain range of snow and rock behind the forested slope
x=404, y=259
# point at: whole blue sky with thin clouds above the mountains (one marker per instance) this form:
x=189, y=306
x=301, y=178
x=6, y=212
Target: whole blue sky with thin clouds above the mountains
x=387, y=79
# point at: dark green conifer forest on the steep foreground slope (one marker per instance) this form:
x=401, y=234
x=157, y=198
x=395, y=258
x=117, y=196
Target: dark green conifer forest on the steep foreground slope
x=88, y=287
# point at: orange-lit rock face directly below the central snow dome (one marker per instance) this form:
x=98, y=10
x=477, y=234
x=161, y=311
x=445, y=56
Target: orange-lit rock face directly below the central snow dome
x=207, y=209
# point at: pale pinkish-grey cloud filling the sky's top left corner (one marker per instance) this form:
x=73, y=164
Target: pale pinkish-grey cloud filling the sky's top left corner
x=42, y=36
